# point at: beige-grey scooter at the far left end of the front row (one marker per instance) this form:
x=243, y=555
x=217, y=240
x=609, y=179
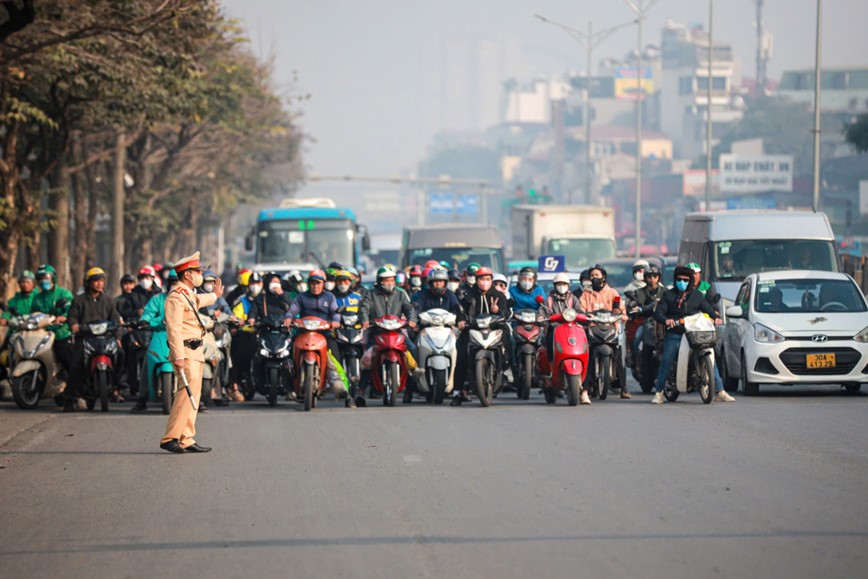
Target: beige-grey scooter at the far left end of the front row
x=34, y=370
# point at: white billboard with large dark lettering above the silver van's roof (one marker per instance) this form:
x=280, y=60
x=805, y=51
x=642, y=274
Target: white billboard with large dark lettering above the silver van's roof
x=756, y=173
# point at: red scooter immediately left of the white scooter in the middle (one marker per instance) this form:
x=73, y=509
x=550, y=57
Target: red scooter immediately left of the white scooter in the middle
x=389, y=359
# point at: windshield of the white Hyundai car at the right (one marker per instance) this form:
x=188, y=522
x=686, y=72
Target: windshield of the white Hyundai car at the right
x=808, y=296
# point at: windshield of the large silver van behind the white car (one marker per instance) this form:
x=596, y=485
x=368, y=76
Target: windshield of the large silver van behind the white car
x=735, y=260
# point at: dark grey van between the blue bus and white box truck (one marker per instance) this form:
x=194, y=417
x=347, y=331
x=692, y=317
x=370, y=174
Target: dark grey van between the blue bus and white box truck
x=457, y=245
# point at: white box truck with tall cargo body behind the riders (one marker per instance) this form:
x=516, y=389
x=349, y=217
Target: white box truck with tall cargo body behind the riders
x=583, y=234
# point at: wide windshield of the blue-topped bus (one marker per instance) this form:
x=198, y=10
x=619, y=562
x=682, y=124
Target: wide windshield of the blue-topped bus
x=304, y=241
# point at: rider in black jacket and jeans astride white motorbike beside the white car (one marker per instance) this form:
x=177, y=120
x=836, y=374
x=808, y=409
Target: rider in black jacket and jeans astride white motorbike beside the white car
x=680, y=301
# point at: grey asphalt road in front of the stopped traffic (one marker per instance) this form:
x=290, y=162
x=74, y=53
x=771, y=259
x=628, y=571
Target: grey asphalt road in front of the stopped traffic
x=773, y=486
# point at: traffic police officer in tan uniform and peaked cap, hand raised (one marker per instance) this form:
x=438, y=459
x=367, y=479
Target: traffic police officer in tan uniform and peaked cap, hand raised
x=184, y=331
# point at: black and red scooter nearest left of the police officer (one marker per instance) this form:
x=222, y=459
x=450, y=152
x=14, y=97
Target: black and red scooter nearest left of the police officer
x=100, y=352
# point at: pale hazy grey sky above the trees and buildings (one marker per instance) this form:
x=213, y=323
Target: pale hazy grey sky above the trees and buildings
x=374, y=68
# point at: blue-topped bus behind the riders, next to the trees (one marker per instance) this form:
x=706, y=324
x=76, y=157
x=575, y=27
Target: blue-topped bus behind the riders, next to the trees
x=304, y=234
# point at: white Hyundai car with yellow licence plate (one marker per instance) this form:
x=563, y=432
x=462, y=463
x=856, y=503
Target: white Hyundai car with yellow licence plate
x=796, y=327
